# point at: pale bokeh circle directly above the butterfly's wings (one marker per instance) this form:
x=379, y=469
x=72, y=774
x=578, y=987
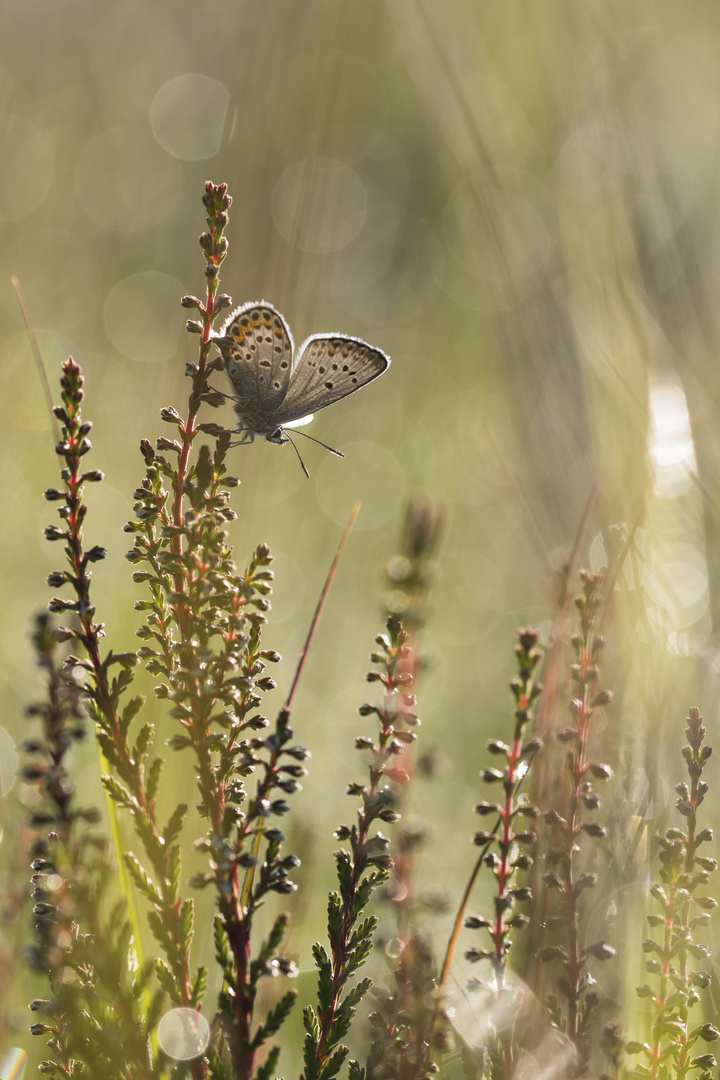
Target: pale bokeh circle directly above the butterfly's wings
x=320, y=205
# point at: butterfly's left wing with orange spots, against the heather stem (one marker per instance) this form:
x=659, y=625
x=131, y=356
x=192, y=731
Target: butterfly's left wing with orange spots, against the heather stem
x=259, y=358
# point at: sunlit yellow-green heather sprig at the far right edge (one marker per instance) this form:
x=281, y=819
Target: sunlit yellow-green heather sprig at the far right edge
x=685, y=908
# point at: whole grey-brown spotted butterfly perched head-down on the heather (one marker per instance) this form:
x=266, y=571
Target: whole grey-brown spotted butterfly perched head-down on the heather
x=274, y=388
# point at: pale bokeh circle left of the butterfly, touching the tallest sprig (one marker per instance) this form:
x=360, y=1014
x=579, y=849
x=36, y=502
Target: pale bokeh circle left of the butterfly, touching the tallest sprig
x=143, y=316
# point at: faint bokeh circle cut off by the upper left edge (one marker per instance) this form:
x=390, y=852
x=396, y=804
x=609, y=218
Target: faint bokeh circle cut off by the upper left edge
x=26, y=168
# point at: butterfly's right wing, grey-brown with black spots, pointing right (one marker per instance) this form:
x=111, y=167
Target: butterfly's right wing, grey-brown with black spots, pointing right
x=330, y=367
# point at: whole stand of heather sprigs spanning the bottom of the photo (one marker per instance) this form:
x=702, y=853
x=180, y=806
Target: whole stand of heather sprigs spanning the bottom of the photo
x=125, y=1002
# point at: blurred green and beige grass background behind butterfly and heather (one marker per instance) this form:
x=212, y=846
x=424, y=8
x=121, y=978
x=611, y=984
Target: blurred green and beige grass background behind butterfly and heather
x=520, y=204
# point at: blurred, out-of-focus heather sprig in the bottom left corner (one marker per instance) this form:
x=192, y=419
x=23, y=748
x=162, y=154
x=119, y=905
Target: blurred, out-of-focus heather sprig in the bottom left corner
x=101, y=1011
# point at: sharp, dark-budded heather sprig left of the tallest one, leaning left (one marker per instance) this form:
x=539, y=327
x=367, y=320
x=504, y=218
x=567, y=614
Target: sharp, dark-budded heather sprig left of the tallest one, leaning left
x=134, y=778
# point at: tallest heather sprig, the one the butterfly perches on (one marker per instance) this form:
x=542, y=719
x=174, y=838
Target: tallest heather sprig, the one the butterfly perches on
x=203, y=629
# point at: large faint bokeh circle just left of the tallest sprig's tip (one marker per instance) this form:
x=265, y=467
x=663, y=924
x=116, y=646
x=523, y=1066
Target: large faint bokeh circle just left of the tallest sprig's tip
x=126, y=182
